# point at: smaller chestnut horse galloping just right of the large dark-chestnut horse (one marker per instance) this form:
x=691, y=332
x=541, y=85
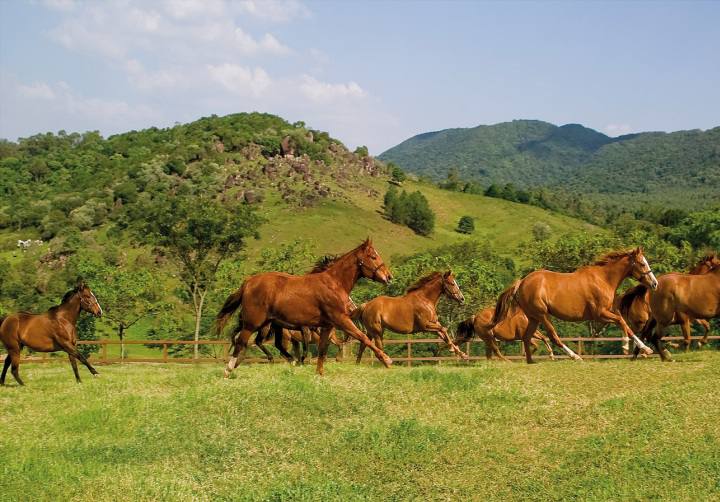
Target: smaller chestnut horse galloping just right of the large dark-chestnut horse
x=414, y=312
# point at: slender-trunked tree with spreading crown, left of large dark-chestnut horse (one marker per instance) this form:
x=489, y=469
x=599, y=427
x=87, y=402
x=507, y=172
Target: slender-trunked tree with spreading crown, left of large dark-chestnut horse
x=198, y=233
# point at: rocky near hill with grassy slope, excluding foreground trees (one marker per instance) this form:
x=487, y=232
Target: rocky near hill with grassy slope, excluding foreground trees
x=83, y=195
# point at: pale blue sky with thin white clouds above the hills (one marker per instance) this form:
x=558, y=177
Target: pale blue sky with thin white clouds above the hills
x=370, y=73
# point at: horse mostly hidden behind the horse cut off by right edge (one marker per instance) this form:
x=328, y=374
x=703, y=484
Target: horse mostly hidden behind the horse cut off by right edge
x=634, y=305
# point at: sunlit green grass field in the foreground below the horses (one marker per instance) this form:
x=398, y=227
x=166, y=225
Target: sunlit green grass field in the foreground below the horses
x=611, y=430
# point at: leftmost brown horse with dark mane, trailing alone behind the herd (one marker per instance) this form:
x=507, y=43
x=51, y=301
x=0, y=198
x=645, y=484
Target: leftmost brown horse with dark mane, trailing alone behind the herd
x=54, y=330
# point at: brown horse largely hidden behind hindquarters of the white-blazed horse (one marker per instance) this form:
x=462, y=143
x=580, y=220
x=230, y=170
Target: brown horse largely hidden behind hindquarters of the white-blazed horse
x=510, y=329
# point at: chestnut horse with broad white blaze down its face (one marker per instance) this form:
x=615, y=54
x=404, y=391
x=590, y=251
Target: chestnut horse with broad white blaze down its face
x=586, y=294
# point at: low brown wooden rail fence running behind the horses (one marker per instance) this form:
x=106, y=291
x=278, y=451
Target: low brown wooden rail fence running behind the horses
x=408, y=359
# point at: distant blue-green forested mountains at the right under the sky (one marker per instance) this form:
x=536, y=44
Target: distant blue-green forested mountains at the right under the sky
x=531, y=153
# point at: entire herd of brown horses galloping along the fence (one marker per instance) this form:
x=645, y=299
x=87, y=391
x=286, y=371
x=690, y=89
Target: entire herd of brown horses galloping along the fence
x=301, y=309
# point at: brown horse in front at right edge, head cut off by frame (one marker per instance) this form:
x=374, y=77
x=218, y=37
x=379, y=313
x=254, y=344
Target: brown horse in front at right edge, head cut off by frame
x=679, y=298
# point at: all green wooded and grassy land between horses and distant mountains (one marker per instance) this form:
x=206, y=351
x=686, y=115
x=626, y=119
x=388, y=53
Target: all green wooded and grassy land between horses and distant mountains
x=163, y=222
